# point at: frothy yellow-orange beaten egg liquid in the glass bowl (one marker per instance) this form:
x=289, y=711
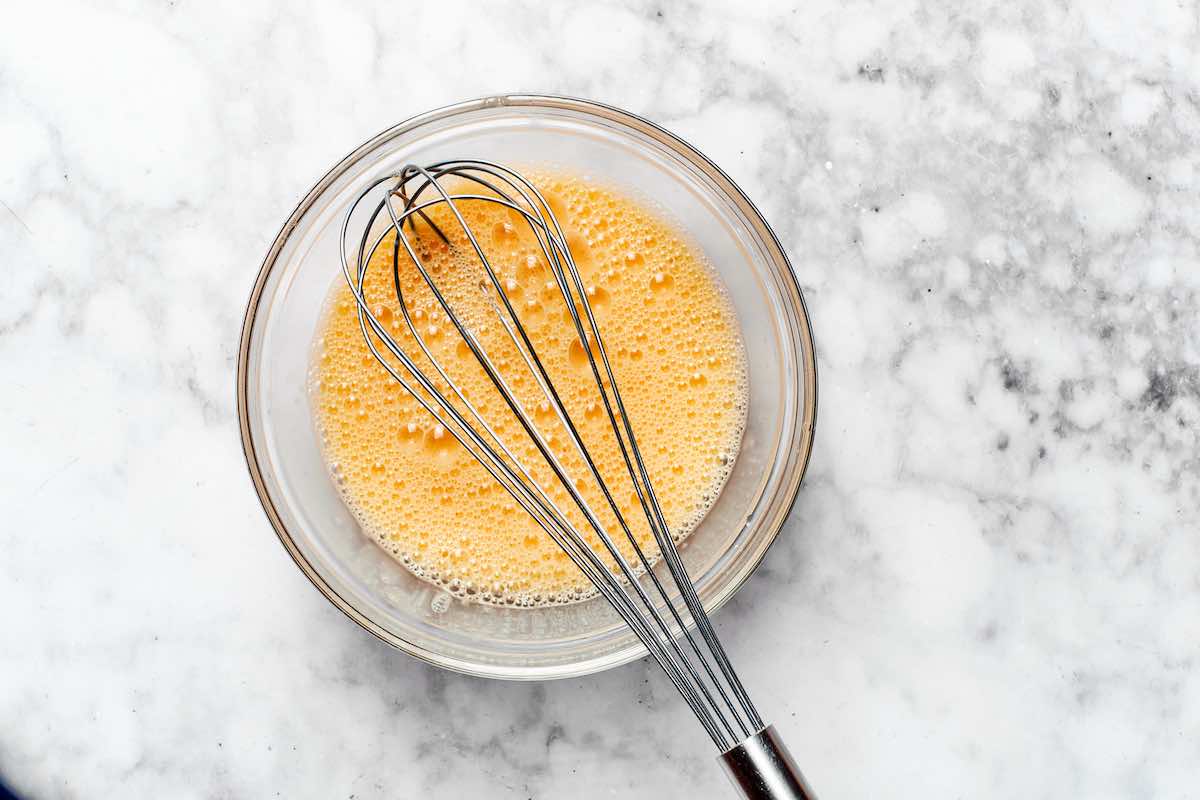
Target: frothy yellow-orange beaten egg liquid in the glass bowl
x=676, y=351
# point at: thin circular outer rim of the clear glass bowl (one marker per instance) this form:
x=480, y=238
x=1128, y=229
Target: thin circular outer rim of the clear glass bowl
x=807, y=429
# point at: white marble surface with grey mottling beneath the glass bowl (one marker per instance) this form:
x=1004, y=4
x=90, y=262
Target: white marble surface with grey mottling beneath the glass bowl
x=991, y=587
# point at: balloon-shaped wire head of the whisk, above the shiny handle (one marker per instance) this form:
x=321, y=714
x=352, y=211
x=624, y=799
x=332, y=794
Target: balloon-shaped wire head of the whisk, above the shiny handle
x=661, y=606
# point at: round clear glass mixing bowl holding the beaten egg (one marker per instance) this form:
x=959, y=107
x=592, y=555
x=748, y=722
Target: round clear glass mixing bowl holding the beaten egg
x=284, y=453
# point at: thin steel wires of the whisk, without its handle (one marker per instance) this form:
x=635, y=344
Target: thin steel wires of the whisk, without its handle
x=621, y=587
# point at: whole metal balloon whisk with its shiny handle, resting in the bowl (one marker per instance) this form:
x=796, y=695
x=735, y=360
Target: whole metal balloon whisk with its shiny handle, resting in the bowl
x=664, y=611
